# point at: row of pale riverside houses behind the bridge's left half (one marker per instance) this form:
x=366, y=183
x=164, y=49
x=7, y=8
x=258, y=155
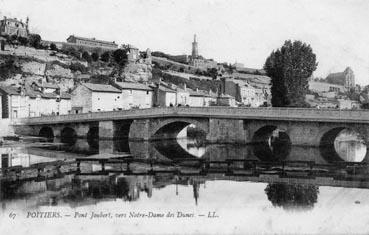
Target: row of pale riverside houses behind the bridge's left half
x=38, y=99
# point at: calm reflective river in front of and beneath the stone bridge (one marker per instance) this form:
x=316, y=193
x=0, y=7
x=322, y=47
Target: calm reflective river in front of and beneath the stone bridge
x=326, y=195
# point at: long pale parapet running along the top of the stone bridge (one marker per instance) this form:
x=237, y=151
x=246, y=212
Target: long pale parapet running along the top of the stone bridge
x=292, y=114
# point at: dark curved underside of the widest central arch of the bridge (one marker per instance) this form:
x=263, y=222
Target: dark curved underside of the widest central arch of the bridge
x=170, y=128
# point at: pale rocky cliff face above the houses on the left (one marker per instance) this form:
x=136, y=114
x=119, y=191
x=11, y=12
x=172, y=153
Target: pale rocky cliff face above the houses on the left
x=20, y=64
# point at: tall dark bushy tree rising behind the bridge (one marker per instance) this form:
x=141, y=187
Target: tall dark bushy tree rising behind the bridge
x=289, y=68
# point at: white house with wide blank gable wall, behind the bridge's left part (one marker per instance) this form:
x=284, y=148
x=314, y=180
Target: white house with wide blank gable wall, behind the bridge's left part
x=89, y=97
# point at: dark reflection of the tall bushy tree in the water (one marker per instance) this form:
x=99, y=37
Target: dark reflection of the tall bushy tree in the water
x=292, y=196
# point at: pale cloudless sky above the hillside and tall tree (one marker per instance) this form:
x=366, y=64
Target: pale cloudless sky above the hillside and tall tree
x=246, y=31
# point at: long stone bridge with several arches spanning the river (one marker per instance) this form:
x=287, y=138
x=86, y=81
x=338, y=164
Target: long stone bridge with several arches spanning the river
x=310, y=127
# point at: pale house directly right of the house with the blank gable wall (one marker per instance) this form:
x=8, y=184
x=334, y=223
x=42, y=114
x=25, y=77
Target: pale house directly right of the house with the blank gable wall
x=135, y=95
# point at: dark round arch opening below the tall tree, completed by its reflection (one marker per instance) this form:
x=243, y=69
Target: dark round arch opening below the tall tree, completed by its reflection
x=271, y=143
